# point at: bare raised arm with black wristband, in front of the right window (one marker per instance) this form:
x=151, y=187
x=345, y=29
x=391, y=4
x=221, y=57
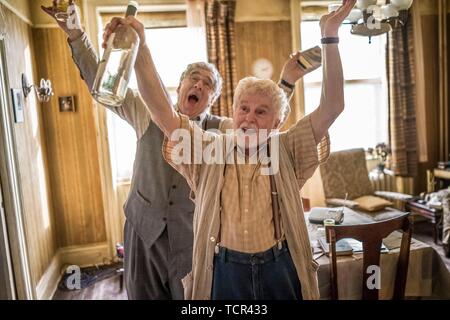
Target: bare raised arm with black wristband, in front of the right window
x=332, y=98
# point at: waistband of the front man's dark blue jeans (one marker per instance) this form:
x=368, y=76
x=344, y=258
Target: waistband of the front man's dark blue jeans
x=272, y=254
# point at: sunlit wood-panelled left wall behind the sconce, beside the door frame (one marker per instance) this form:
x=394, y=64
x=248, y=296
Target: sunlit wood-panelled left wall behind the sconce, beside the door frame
x=31, y=151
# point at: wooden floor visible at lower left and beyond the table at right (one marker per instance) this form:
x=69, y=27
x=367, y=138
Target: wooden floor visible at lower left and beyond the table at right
x=109, y=289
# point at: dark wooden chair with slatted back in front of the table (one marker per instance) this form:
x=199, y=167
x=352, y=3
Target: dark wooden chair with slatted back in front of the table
x=371, y=235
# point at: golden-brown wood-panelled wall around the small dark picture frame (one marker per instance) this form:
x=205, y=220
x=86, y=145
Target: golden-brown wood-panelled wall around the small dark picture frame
x=72, y=146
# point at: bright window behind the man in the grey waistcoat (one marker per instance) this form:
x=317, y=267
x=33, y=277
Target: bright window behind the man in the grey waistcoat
x=172, y=50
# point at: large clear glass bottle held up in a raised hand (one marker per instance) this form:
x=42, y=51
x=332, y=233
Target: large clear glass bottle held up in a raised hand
x=115, y=68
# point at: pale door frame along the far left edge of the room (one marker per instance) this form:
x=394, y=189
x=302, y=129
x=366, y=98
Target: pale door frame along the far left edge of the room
x=21, y=280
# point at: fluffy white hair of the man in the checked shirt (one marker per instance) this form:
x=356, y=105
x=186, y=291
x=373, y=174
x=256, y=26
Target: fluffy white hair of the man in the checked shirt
x=252, y=85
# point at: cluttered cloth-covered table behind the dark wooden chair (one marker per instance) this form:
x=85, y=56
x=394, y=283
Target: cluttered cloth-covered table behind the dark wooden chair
x=427, y=275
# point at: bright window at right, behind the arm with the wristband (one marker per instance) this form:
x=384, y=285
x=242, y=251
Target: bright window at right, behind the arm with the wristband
x=364, y=123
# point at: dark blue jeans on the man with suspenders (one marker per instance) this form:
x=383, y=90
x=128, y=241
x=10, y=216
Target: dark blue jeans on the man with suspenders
x=269, y=275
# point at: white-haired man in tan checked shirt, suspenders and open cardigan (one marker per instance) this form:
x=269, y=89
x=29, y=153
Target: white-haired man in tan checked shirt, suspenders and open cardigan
x=241, y=251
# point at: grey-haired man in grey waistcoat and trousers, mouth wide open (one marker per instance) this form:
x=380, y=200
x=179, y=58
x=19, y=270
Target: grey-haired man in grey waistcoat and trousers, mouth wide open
x=158, y=230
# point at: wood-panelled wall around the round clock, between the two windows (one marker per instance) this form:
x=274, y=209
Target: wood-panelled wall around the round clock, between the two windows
x=270, y=40
